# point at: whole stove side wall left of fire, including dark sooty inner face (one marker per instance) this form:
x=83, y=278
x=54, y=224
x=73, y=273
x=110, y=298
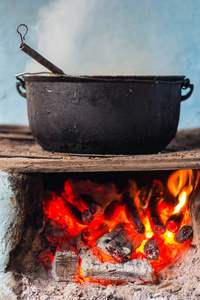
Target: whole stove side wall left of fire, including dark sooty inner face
x=20, y=204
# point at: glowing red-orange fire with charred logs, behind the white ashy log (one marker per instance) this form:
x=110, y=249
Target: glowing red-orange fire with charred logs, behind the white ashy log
x=153, y=222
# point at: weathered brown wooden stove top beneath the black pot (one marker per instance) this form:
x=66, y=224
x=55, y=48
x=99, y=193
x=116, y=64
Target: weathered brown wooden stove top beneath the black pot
x=27, y=156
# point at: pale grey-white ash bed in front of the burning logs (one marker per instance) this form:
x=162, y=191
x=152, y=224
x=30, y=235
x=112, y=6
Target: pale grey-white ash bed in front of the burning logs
x=180, y=282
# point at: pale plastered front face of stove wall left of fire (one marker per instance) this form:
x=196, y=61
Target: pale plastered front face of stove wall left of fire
x=12, y=217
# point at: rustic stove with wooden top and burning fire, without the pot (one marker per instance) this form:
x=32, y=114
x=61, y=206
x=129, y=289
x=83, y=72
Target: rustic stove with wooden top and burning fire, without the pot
x=100, y=224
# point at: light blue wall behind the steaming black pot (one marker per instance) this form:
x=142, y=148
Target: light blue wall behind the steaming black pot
x=101, y=37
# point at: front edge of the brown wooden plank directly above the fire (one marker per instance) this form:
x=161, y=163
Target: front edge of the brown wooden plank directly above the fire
x=99, y=164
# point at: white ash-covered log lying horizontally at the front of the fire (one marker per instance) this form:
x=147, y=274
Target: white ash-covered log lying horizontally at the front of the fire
x=135, y=270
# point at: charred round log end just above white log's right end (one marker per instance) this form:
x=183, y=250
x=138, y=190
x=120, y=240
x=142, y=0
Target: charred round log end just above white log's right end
x=153, y=247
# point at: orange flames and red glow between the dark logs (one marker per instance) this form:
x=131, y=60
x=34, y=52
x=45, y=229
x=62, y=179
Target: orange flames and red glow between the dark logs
x=62, y=227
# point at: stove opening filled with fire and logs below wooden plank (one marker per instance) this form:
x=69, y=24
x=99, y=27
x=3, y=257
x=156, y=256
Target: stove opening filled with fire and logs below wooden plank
x=116, y=227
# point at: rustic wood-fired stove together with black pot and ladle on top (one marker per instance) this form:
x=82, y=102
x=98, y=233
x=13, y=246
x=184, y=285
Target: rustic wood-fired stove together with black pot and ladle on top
x=101, y=216
